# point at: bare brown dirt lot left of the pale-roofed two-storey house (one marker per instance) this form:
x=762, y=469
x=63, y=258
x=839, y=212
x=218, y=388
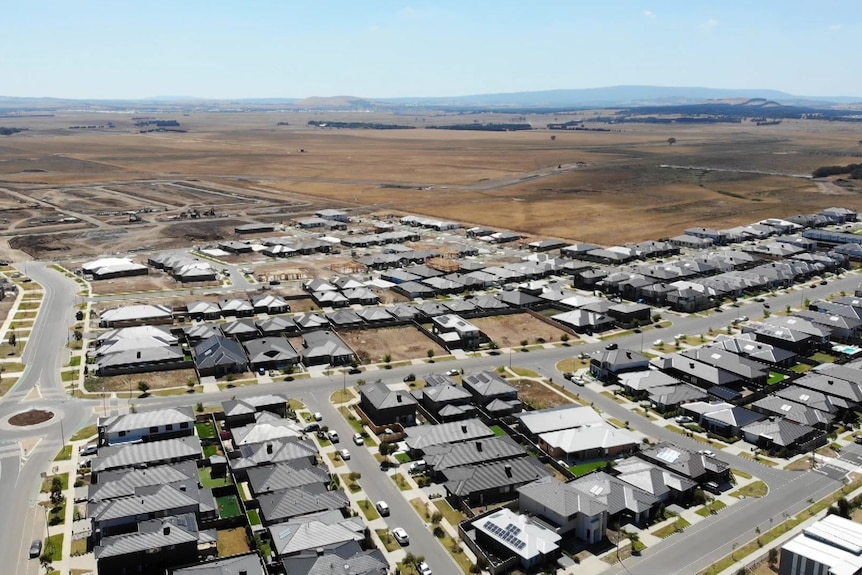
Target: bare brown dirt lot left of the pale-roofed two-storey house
x=404, y=342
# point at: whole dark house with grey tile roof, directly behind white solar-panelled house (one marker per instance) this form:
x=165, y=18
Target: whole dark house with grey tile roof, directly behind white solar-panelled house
x=492, y=481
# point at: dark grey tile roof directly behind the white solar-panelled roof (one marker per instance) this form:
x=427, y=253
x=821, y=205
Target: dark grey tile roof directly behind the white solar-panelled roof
x=467, y=479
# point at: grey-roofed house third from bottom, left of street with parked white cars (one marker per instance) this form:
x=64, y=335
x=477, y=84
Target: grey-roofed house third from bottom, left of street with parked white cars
x=283, y=505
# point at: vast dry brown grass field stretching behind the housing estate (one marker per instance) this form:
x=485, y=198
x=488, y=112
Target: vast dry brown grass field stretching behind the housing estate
x=70, y=189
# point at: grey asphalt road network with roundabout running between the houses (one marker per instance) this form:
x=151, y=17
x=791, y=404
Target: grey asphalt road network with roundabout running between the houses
x=703, y=542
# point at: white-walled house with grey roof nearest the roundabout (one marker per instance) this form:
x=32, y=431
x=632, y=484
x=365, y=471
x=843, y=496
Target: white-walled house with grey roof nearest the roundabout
x=146, y=426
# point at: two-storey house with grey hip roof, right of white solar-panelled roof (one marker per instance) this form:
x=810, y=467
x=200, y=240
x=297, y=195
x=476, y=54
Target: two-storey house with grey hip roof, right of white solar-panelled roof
x=568, y=510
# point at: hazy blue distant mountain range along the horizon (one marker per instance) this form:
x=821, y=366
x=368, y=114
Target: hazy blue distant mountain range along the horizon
x=609, y=97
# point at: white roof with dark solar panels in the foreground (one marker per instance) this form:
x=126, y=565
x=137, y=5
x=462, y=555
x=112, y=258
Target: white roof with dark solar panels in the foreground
x=518, y=533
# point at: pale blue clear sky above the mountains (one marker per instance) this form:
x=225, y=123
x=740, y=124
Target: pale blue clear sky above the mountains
x=391, y=48
